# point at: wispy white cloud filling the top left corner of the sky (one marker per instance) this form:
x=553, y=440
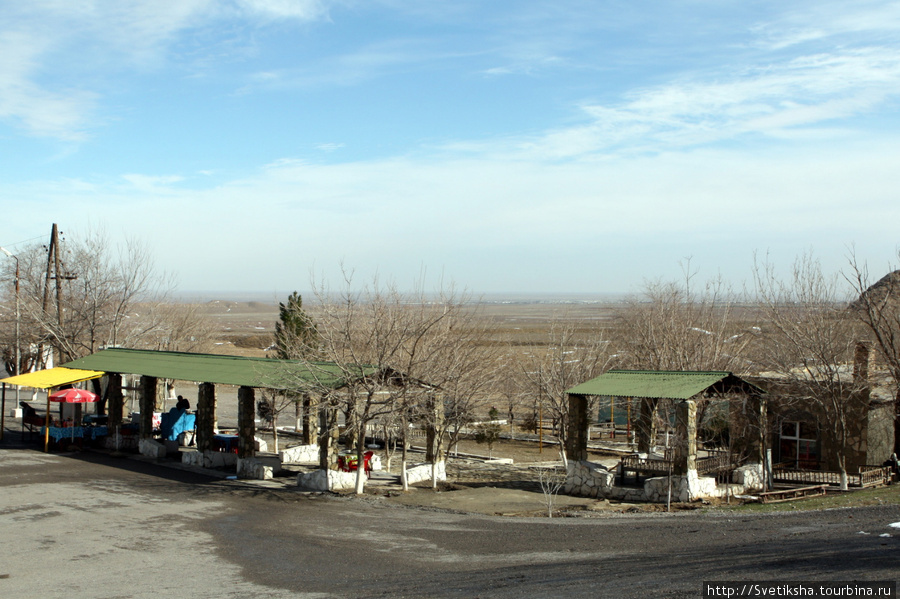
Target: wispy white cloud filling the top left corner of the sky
x=60, y=57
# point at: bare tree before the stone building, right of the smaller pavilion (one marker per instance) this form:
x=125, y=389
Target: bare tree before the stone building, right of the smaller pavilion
x=810, y=342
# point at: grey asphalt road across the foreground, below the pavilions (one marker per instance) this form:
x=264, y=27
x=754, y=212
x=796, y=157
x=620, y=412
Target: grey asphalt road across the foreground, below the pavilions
x=90, y=525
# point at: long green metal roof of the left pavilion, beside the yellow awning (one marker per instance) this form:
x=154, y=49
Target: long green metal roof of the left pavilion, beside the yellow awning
x=211, y=368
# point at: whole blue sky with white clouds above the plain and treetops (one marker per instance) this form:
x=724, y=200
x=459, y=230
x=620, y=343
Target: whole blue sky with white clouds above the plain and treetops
x=510, y=146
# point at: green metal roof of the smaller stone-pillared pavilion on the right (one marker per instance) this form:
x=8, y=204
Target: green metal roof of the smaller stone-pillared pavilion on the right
x=662, y=384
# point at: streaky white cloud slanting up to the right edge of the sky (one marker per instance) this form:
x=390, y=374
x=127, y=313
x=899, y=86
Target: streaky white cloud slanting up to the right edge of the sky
x=805, y=95
